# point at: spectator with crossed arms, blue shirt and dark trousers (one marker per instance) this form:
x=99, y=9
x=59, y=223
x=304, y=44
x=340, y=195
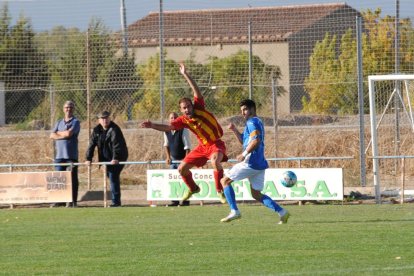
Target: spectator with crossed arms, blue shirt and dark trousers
x=65, y=135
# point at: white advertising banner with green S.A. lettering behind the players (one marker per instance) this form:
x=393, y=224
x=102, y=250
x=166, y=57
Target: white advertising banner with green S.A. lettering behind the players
x=312, y=184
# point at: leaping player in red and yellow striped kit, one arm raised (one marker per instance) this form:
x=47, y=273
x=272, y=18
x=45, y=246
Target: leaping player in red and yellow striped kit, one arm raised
x=208, y=131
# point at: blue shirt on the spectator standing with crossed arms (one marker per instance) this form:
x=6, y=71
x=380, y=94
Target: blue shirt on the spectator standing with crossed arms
x=67, y=148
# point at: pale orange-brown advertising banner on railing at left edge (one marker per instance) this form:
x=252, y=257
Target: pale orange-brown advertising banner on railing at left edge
x=35, y=187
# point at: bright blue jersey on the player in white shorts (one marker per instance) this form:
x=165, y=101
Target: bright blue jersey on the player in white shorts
x=254, y=130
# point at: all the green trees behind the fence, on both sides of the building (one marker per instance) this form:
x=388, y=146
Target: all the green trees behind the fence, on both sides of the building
x=32, y=63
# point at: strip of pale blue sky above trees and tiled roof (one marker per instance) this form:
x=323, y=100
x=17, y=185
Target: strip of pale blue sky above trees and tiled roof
x=46, y=14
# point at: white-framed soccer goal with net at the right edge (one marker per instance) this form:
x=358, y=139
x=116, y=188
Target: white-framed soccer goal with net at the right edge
x=391, y=100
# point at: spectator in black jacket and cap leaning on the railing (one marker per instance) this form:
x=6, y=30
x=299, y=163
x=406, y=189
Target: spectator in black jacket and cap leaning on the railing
x=108, y=137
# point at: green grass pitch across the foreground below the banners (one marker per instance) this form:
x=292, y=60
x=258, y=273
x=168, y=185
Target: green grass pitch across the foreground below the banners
x=318, y=240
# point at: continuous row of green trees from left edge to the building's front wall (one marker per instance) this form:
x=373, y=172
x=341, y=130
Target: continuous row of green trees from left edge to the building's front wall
x=33, y=65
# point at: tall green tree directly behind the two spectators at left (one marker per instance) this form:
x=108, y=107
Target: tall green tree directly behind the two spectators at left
x=113, y=78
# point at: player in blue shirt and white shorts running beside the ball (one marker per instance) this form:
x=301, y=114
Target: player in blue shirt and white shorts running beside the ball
x=252, y=164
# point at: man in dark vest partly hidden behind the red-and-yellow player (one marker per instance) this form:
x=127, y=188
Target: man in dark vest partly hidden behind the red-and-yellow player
x=177, y=145
